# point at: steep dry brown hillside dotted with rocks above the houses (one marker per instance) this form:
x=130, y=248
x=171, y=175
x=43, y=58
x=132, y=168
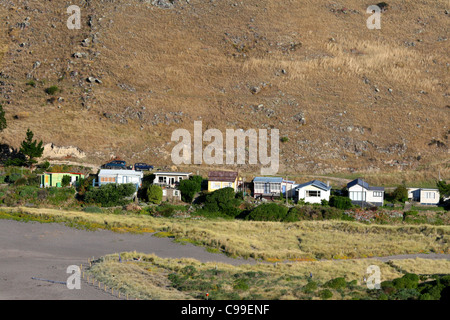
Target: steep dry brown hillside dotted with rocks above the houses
x=347, y=98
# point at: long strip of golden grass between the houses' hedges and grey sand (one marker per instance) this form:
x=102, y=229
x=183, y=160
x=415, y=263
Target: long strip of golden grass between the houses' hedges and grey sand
x=269, y=241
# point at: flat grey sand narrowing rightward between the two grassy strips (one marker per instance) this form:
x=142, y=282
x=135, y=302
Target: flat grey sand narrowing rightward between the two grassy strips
x=44, y=251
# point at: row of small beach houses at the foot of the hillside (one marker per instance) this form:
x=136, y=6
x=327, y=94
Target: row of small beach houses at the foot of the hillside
x=359, y=191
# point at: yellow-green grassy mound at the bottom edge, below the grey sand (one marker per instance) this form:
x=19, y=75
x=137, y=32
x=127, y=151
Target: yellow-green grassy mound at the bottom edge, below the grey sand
x=150, y=277
